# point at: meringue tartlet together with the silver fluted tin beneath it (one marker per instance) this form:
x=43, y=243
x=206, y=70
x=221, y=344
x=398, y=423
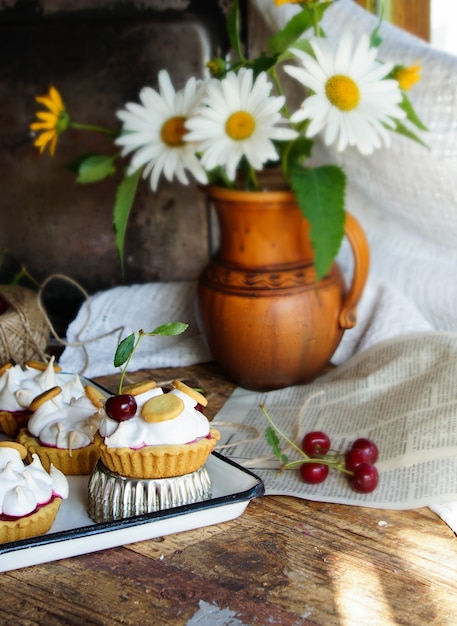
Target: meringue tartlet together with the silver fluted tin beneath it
x=154, y=460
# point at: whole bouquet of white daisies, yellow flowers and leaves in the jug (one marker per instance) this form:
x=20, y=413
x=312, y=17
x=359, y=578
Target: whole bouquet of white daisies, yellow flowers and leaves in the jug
x=238, y=120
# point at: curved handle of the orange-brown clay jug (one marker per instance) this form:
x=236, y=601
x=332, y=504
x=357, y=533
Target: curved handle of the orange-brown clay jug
x=359, y=244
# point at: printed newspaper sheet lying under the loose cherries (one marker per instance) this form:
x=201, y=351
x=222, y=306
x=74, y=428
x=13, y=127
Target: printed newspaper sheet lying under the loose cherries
x=401, y=393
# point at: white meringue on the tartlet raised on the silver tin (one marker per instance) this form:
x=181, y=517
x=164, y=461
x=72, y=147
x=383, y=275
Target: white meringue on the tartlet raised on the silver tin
x=136, y=432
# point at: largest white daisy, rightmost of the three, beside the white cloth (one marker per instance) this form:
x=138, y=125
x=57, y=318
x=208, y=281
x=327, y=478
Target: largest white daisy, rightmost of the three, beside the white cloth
x=351, y=101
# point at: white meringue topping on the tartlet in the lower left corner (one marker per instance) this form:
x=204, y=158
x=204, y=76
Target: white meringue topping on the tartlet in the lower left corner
x=23, y=487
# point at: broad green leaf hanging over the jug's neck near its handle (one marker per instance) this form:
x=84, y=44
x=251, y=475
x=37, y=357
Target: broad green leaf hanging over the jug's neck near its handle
x=320, y=194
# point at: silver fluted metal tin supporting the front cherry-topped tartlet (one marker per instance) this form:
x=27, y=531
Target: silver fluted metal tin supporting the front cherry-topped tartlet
x=113, y=497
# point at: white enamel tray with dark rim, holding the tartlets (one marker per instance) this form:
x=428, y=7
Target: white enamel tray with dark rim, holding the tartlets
x=74, y=533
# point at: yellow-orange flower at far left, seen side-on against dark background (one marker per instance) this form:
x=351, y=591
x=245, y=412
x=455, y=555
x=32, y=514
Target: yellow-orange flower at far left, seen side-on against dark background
x=51, y=122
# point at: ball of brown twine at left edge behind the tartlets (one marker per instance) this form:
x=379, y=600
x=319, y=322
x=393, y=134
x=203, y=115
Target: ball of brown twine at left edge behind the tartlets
x=24, y=331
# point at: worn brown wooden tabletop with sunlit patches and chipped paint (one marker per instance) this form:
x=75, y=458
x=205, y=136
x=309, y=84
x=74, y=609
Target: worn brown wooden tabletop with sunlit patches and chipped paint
x=284, y=561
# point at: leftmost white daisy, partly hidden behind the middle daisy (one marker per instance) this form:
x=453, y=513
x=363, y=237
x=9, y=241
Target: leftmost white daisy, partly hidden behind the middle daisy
x=155, y=131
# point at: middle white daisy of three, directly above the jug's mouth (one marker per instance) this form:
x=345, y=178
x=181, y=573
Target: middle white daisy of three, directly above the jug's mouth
x=239, y=119
